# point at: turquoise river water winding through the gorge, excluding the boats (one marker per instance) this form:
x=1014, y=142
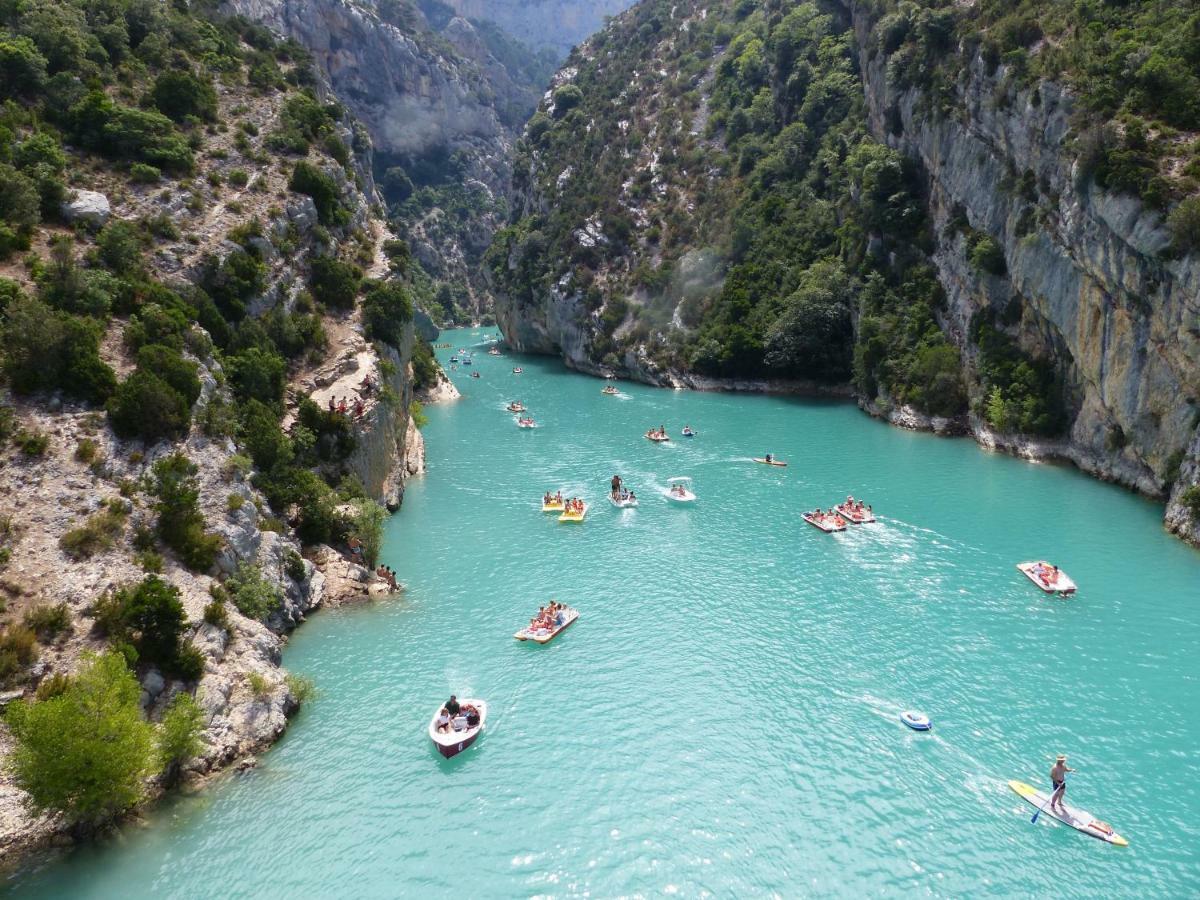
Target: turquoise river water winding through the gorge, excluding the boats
x=723, y=717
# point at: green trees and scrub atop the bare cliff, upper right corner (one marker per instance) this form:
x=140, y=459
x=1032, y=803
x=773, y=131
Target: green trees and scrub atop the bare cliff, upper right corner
x=1133, y=68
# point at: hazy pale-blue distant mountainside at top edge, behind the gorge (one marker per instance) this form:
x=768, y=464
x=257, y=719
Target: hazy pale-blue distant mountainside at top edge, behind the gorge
x=554, y=25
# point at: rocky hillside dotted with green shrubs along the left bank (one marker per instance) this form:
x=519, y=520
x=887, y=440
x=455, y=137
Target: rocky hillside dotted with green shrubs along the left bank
x=182, y=227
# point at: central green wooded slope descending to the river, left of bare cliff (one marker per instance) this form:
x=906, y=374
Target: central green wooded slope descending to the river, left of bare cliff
x=736, y=135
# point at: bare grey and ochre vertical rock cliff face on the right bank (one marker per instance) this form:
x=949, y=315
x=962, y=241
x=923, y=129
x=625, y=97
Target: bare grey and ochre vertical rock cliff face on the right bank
x=1097, y=289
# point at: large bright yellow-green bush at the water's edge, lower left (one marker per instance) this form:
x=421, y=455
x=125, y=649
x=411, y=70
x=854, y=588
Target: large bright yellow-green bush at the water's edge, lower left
x=86, y=753
